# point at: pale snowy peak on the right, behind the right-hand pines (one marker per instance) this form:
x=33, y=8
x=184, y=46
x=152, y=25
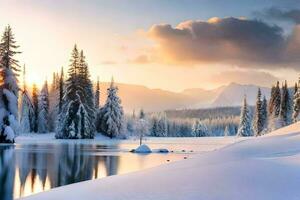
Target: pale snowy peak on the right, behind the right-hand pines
x=233, y=94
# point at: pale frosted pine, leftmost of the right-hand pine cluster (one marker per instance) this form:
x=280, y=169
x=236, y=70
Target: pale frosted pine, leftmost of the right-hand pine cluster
x=245, y=121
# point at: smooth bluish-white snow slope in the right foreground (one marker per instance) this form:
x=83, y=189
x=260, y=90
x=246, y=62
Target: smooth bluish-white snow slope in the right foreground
x=265, y=167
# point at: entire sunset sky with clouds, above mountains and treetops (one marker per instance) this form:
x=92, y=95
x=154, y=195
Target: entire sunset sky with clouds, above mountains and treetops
x=170, y=45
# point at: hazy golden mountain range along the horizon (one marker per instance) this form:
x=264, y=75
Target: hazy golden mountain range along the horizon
x=135, y=97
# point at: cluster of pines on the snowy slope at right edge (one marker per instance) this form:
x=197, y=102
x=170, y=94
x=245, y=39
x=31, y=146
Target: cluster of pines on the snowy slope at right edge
x=281, y=110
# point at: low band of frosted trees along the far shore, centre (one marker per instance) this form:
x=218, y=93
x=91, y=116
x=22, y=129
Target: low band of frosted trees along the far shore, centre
x=159, y=125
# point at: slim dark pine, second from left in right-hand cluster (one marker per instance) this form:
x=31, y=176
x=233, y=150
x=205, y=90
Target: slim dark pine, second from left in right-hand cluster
x=258, y=124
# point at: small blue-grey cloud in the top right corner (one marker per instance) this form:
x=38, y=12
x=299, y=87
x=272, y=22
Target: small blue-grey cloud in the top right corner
x=279, y=14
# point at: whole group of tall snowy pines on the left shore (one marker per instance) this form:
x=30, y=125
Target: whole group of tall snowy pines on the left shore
x=69, y=106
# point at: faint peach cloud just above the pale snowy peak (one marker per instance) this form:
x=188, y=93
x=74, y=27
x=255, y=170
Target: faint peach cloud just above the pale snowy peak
x=244, y=77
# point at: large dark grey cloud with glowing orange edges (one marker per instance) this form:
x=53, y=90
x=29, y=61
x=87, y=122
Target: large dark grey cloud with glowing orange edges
x=236, y=41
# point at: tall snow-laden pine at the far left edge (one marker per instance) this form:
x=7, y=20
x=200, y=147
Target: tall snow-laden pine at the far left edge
x=9, y=89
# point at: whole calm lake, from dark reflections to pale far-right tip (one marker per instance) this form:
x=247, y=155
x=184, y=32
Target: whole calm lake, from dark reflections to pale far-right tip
x=31, y=167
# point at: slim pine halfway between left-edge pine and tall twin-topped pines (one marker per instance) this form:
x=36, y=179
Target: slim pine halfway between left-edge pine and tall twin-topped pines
x=43, y=108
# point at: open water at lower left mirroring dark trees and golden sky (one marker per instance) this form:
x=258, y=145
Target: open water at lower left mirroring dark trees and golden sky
x=30, y=168
